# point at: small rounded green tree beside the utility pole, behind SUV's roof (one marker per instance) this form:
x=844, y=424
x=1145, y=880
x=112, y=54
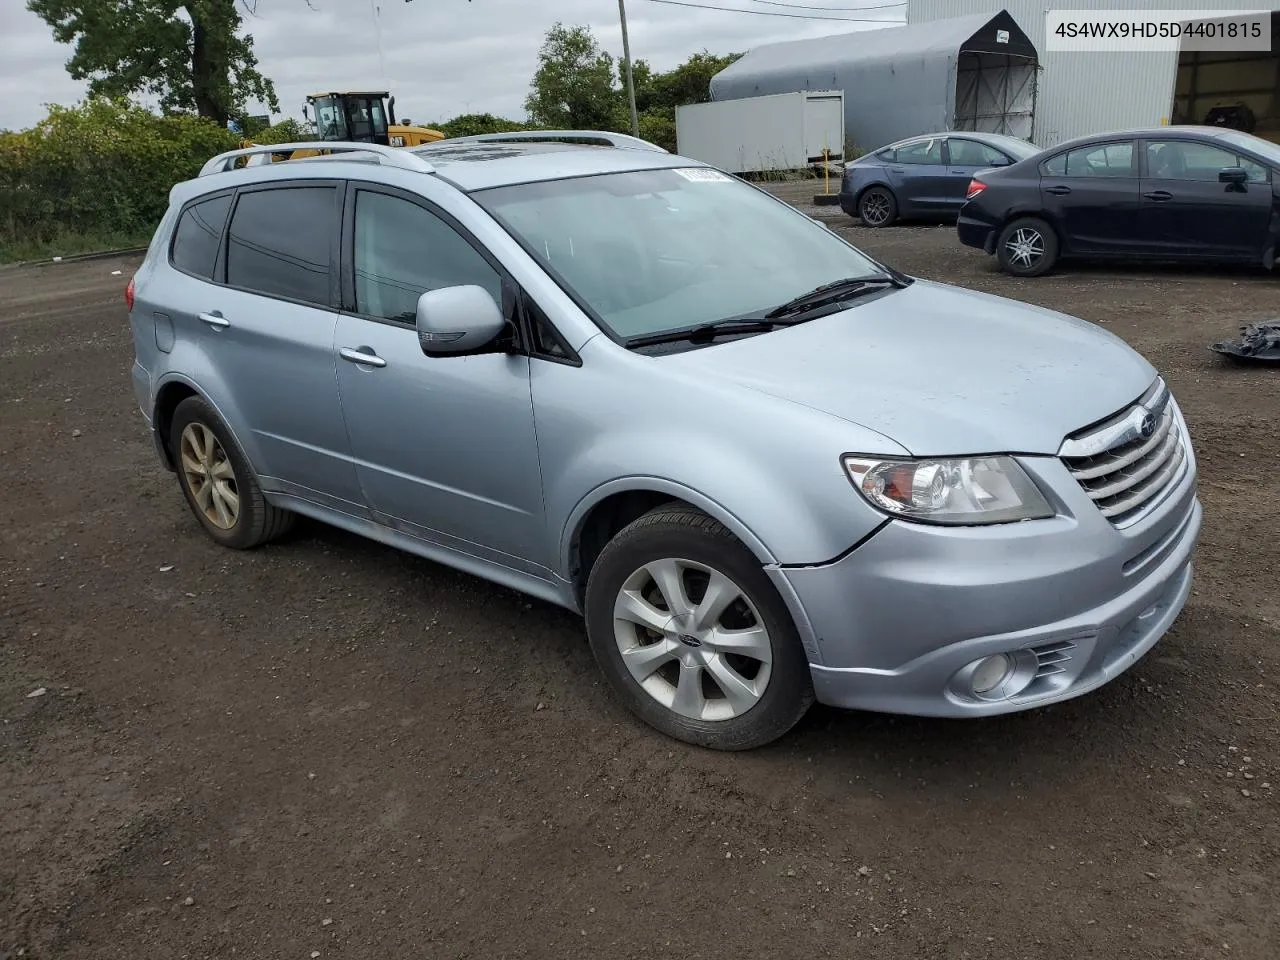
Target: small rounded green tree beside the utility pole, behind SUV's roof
x=575, y=86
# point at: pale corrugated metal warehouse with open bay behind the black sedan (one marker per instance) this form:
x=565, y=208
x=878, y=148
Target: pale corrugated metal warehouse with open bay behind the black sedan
x=1085, y=93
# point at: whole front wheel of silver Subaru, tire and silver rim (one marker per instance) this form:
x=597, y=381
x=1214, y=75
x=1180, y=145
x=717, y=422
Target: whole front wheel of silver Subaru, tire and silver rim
x=693, y=637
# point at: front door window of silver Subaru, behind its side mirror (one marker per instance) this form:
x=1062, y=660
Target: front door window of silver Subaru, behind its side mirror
x=403, y=252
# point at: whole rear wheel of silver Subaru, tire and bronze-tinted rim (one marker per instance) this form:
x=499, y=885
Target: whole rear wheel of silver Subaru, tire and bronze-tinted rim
x=218, y=483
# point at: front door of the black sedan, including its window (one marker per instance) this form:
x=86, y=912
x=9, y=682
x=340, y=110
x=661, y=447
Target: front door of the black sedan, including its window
x=1188, y=213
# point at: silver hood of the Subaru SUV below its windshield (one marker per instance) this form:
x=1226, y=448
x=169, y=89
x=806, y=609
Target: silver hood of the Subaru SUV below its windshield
x=941, y=371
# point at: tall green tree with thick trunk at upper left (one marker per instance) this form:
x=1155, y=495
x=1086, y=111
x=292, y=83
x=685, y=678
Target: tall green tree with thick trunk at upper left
x=191, y=54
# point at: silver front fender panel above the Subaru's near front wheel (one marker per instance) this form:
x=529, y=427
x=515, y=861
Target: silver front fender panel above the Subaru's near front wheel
x=766, y=468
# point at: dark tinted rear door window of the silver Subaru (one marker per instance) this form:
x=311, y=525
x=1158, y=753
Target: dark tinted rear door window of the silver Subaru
x=280, y=243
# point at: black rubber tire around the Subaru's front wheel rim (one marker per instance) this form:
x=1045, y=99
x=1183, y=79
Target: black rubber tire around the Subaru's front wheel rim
x=679, y=532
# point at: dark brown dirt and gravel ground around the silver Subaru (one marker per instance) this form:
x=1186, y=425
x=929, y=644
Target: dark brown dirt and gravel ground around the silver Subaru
x=330, y=749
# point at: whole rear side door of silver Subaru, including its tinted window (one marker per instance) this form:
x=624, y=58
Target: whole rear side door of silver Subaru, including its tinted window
x=264, y=336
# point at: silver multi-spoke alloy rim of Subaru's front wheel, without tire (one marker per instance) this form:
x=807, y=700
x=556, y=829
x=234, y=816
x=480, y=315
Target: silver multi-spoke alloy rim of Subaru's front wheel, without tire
x=693, y=639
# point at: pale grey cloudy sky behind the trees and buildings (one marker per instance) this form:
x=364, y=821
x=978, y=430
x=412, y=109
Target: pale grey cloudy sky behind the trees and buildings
x=441, y=58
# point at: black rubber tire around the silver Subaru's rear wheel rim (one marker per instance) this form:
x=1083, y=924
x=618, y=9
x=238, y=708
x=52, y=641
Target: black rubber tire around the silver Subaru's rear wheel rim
x=257, y=522
